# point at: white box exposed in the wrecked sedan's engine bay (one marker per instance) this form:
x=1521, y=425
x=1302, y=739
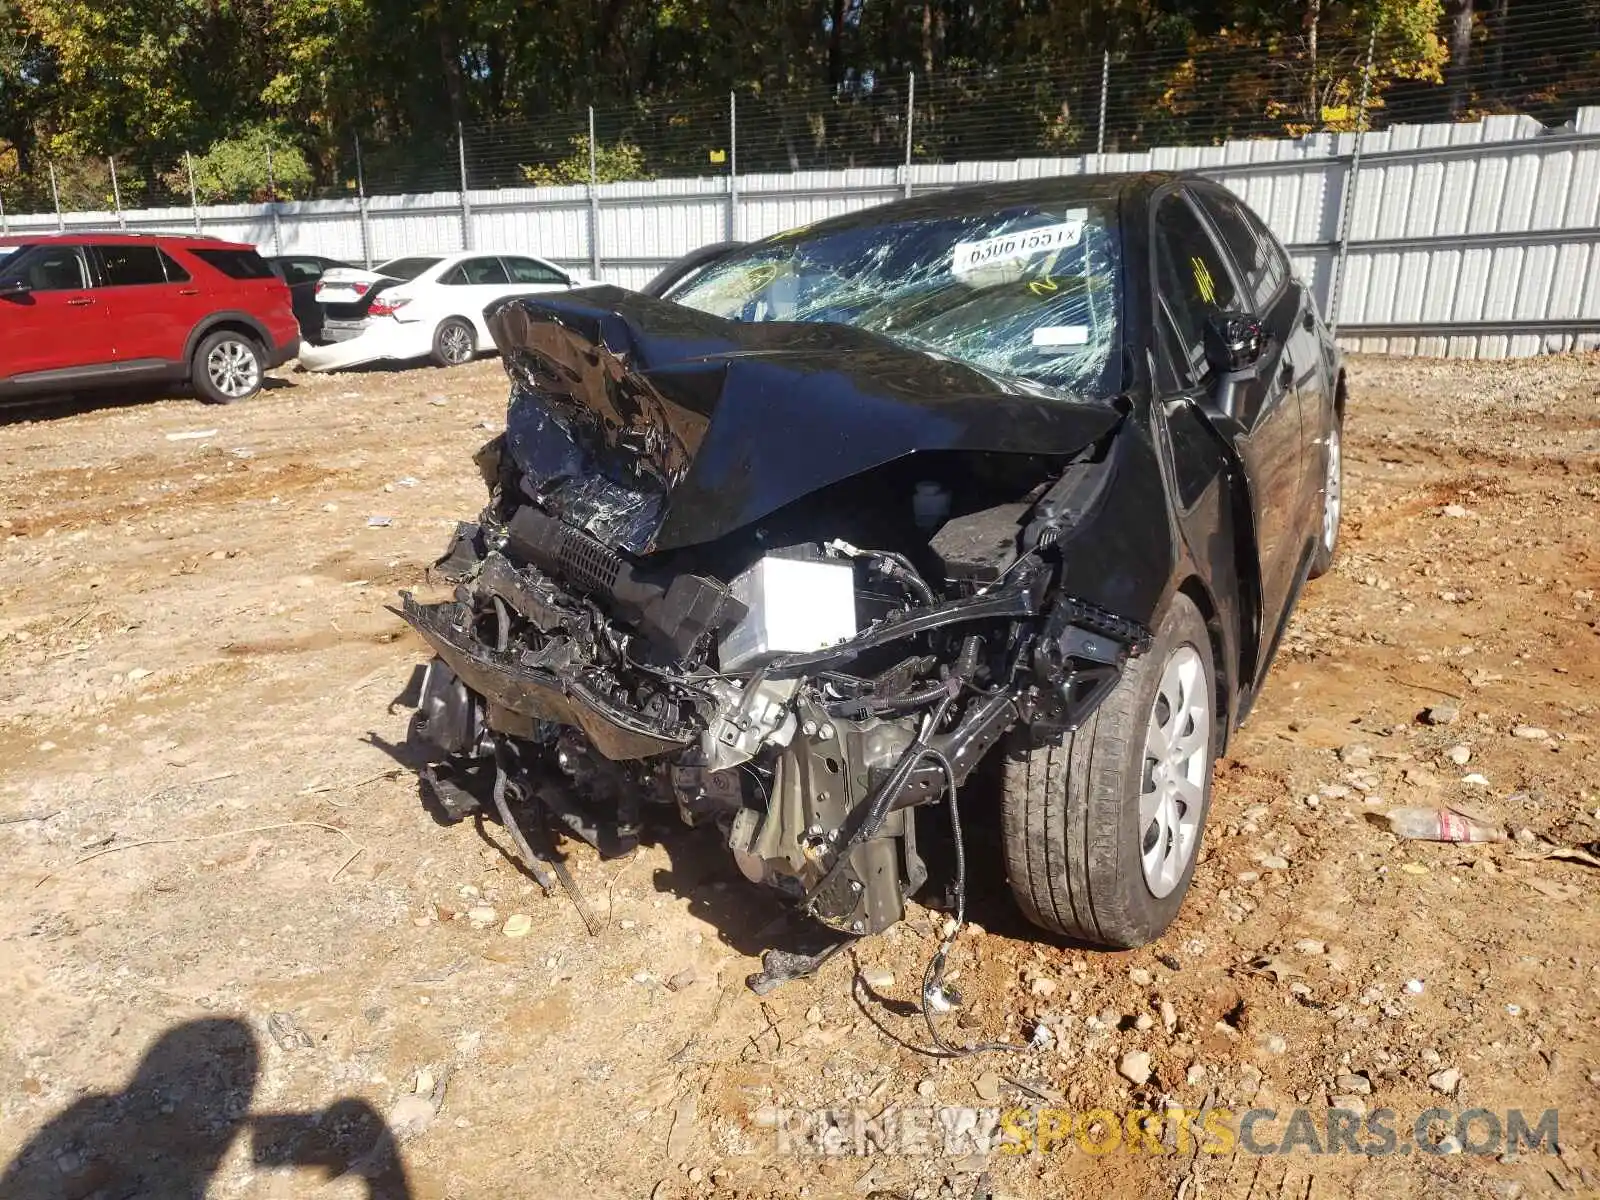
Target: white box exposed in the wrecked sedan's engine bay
x=796, y=606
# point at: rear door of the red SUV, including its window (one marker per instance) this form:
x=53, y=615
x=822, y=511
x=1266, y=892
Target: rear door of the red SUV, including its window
x=150, y=319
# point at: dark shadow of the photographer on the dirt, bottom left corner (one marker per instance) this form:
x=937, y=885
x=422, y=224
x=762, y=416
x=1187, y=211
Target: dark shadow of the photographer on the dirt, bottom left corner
x=170, y=1129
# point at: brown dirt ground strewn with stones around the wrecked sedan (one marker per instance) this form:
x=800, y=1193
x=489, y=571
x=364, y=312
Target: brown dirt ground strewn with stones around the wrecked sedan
x=234, y=946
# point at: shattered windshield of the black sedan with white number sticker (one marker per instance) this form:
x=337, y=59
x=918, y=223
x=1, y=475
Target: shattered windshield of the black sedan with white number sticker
x=1028, y=292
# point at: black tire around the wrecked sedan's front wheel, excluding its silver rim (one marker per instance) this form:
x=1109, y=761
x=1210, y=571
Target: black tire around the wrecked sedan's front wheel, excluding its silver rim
x=1071, y=810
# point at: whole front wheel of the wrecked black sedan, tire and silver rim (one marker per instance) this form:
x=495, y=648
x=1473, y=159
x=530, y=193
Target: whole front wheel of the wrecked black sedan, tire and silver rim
x=1103, y=828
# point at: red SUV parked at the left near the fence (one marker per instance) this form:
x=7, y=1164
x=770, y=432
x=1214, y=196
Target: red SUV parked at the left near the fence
x=89, y=310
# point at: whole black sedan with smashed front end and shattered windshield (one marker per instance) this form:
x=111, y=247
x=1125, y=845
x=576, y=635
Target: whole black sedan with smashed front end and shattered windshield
x=1031, y=471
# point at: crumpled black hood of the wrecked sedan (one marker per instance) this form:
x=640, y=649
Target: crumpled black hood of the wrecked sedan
x=657, y=426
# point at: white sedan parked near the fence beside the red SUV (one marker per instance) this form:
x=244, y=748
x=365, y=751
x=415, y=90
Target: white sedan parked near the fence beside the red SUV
x=425, y=306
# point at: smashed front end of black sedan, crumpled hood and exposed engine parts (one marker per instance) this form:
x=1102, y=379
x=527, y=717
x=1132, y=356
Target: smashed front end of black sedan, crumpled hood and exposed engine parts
x=729, y=572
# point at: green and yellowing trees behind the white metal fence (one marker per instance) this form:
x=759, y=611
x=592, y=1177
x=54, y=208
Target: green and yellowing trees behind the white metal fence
x=820, y=82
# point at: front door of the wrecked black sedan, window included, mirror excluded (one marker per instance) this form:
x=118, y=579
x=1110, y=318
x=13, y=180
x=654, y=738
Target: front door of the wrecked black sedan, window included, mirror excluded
x=1194, y=284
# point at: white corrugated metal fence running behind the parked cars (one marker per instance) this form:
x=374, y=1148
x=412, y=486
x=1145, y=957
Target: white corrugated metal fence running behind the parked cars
x=1478, y=239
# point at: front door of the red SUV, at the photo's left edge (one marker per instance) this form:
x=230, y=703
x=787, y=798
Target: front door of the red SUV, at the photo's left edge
x=58, y=321
